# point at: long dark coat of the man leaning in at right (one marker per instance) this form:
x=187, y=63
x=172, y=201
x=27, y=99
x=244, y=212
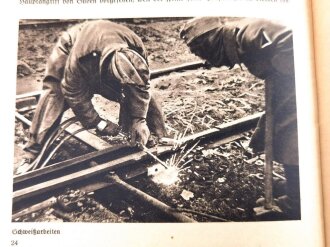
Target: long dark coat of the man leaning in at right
x=266, y=49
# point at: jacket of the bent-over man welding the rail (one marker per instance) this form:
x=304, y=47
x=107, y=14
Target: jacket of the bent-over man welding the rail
x=84, y=76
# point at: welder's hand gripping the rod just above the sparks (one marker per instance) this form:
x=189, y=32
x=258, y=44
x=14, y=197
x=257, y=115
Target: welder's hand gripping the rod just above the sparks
x=140, y=132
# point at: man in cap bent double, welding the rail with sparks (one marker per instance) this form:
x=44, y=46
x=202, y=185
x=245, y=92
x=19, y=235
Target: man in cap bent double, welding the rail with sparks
x=97, y=57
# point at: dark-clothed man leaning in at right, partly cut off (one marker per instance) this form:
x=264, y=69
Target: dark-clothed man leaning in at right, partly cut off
x=266, y=49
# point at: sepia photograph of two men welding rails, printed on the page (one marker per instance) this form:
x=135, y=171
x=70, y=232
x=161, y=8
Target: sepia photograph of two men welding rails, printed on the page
x=153, y=120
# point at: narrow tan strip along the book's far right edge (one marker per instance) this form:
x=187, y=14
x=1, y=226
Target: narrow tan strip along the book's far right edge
x=321, y=38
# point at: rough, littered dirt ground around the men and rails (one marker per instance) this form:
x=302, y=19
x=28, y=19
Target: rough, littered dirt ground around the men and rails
x=222, y=181
